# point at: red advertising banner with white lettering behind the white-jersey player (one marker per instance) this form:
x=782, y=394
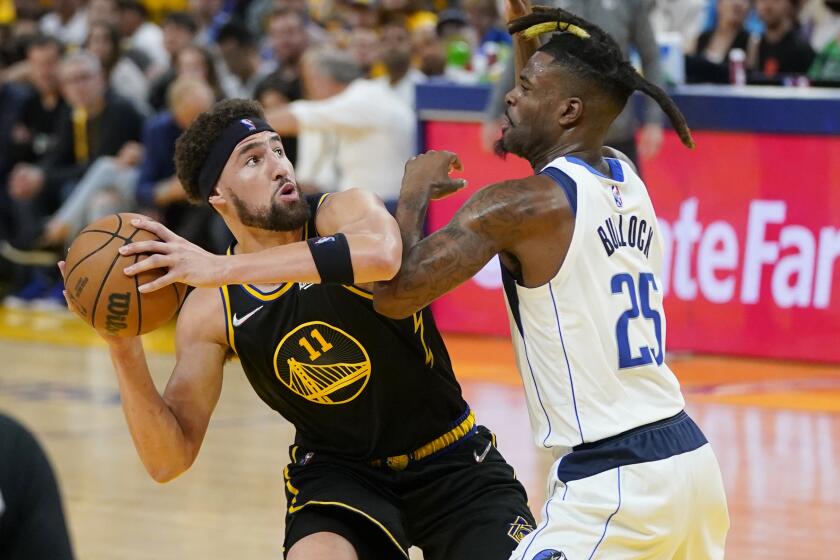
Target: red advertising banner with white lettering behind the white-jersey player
x=751, y=224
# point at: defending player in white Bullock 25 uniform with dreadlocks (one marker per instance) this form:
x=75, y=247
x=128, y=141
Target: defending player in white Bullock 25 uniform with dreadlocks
x=581, y=255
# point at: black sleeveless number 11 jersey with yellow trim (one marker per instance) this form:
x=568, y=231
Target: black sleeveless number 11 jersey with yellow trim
x=353, y=382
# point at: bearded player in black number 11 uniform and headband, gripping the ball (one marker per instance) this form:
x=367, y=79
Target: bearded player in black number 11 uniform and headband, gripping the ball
x=387, y=453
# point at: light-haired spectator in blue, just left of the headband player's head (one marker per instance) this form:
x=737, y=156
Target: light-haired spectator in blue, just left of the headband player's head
x=158, y=191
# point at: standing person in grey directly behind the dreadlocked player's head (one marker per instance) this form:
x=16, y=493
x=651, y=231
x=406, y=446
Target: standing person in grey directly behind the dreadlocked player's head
x=628, y=22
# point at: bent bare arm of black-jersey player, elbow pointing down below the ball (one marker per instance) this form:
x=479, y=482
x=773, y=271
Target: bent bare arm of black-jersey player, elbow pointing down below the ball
x=168, y=429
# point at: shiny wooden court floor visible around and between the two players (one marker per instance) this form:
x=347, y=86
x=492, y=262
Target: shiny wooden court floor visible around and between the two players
x=774, y=426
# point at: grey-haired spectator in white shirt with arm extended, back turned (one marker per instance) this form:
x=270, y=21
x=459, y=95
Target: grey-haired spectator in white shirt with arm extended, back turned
x=374, y=129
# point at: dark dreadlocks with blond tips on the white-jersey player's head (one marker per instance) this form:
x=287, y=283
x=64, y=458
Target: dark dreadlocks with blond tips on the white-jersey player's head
x=589, y=51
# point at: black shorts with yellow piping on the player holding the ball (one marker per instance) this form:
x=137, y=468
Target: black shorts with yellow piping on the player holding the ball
x=460, y=504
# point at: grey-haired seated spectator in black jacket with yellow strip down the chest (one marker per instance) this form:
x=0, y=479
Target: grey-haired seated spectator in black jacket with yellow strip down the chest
x=98, y=123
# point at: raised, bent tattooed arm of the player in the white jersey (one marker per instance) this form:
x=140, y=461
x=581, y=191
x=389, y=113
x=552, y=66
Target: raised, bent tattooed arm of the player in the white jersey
x=501, y=218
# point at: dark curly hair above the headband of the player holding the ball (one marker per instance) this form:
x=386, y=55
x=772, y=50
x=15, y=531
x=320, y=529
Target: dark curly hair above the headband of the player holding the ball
x=193, y=146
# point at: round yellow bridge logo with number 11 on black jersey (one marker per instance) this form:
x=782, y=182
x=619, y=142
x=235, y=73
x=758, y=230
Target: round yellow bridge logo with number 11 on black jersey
x=322, y=363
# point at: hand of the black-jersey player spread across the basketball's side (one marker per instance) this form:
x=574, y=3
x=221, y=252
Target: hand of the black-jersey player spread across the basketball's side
x=185, y=262
